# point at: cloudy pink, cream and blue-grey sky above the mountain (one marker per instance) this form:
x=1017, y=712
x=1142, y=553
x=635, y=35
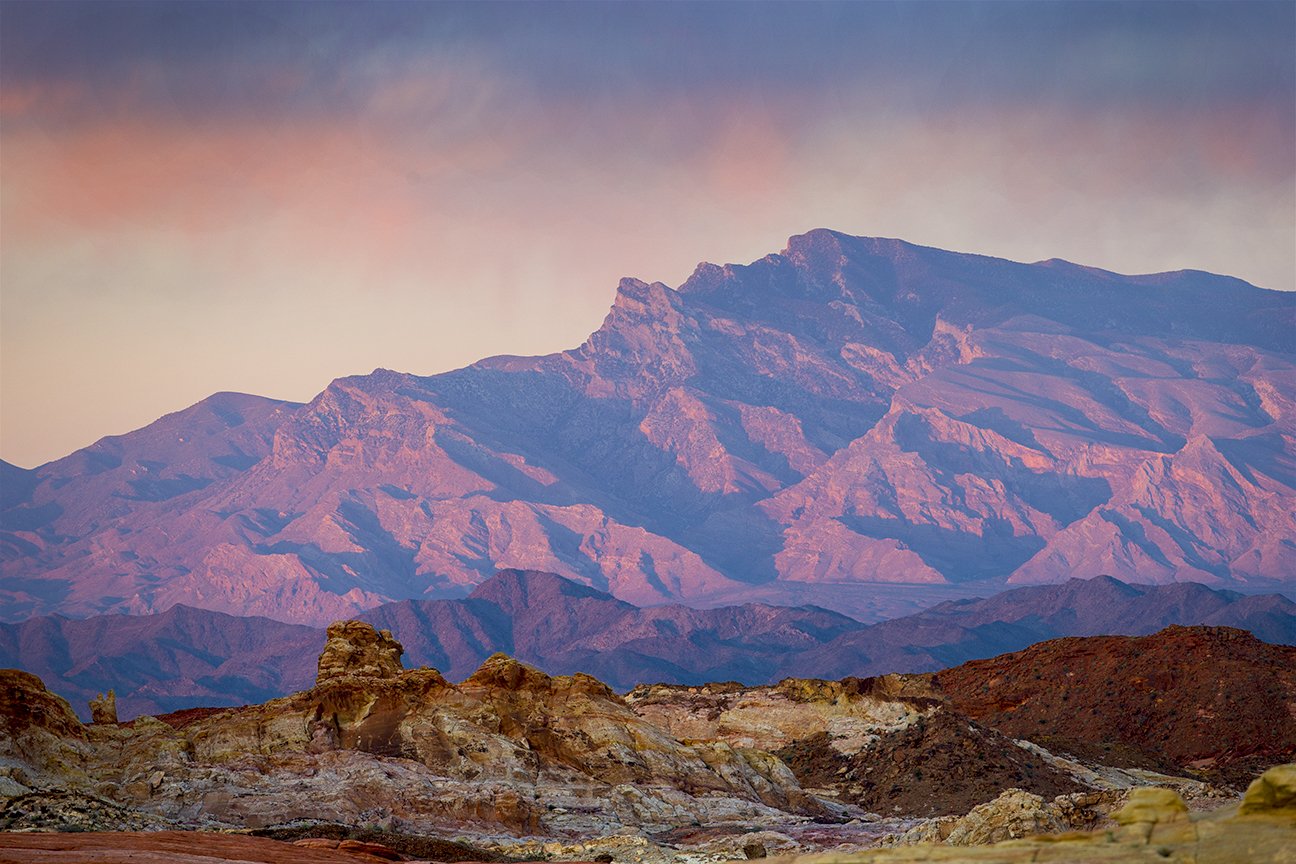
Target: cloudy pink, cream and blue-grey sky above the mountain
x=268, y=213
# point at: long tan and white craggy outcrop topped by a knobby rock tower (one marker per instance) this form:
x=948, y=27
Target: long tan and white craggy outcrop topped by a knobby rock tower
x=510, y=749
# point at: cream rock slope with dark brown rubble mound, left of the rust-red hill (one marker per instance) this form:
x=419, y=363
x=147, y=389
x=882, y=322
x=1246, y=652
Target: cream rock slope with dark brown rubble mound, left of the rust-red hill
x=886, y=745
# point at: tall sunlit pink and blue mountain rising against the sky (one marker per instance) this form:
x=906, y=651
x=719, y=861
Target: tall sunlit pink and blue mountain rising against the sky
x=848, y=411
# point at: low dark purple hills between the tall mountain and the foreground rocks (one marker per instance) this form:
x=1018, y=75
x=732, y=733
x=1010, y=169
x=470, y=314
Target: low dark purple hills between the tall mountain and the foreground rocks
x=190, y=657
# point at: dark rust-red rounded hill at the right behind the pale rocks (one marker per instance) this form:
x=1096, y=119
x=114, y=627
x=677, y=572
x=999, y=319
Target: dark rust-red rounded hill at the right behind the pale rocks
x=1209, y=699
